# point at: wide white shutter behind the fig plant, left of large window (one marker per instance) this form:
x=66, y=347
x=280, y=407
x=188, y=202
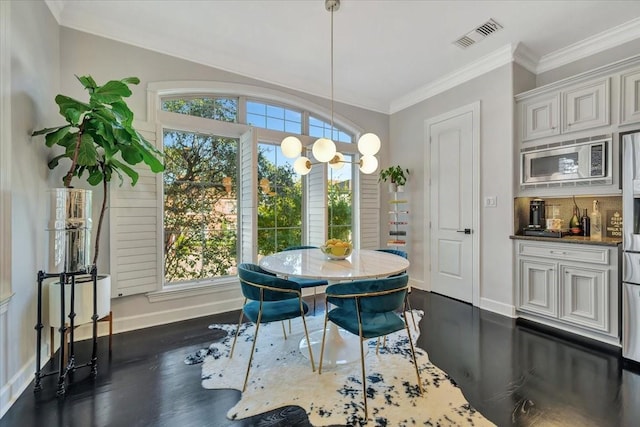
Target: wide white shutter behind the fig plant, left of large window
x=135, y=222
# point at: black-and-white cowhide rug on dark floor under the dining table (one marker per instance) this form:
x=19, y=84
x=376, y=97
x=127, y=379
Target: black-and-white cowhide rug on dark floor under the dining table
x=282, y=376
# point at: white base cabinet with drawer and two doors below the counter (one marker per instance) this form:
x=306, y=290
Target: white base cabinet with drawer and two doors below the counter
x=571, y=286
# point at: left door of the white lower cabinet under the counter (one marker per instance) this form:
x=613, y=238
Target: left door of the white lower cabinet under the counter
x=538, y=289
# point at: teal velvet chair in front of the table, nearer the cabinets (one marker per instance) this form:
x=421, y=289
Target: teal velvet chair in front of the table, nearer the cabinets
x=368, y=308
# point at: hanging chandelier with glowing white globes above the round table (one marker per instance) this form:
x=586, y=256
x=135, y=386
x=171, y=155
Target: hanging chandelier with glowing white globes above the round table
x=324, y=149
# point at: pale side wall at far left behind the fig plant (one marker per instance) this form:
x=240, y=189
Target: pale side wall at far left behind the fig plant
x=34, y=80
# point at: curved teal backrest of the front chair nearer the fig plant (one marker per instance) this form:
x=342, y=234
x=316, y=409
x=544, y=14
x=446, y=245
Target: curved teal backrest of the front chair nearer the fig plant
x=253, y=279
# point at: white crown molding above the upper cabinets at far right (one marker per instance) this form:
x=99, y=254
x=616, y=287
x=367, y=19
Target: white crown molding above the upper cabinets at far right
x=608, y=39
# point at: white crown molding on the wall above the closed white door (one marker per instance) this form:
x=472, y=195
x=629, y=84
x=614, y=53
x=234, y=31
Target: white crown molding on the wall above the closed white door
x=470, y=71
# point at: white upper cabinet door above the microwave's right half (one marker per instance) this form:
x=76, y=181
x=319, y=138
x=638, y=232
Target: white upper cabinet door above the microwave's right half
x=586, y=107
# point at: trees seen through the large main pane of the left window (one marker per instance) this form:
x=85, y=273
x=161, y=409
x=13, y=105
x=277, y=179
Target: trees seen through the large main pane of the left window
x=200, y=217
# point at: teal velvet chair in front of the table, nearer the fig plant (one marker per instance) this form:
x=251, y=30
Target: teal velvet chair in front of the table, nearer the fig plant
x=268, y=298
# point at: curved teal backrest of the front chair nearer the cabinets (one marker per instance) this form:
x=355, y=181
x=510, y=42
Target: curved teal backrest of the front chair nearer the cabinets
x=371, y=295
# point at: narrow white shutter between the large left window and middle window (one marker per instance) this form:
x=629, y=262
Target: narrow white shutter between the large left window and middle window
x=248, y=197
